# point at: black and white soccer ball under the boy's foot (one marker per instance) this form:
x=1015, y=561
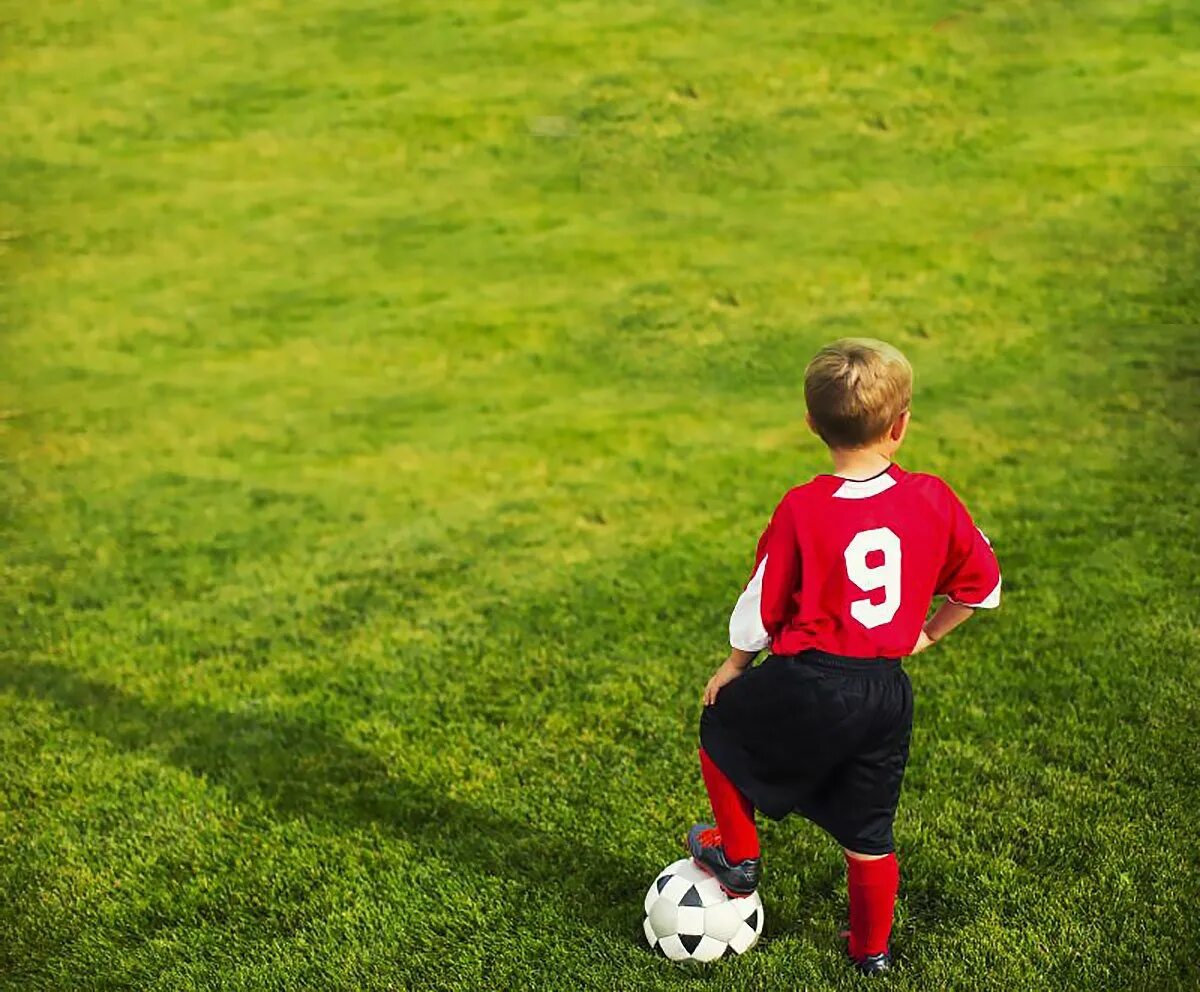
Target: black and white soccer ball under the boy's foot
x=689, y=917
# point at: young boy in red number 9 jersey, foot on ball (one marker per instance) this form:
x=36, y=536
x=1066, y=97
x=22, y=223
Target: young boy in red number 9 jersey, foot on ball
x=841, y=591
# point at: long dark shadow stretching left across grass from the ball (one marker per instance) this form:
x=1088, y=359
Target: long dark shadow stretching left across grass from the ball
x=301, y=771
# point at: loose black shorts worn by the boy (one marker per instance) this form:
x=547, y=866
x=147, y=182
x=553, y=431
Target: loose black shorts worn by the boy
x=818, y=735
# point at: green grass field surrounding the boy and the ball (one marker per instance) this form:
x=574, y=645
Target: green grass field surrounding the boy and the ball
x=393, y=395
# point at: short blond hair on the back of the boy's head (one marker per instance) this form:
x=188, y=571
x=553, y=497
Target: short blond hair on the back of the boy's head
x=856, y=389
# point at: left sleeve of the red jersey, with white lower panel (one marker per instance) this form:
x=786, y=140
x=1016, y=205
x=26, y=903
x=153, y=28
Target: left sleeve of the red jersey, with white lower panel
x=766, y=604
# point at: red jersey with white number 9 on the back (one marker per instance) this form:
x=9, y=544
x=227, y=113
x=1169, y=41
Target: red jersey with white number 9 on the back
x=850, y=567
